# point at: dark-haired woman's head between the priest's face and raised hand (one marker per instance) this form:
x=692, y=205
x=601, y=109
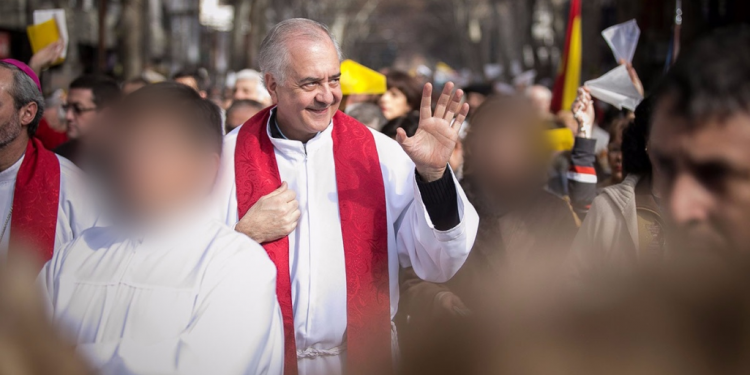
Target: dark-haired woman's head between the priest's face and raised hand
x=403, y=96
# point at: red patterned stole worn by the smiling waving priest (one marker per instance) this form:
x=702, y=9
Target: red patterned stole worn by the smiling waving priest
x=362, y=210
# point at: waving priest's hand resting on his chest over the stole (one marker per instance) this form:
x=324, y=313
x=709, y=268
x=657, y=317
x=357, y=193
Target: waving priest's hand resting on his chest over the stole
x=272, y=217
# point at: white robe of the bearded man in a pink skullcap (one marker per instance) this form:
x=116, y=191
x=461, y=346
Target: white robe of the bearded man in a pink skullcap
x=76, y=210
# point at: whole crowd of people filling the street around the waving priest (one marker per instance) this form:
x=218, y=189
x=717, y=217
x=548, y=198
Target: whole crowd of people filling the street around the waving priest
x=285, y=228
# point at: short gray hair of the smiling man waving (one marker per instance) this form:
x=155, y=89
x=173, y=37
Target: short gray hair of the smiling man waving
x=273, y=57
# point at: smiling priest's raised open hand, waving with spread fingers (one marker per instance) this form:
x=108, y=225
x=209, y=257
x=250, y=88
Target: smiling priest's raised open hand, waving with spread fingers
x=430, y=148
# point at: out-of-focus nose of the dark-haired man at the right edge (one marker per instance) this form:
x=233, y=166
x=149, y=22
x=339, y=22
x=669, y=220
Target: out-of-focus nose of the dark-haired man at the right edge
x=689, y=200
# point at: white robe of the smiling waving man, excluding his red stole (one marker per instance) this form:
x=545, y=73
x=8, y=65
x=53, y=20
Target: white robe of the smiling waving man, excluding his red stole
x=316, y=250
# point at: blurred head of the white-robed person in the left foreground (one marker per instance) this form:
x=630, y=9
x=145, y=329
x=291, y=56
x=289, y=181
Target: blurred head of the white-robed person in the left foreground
x=166, y=150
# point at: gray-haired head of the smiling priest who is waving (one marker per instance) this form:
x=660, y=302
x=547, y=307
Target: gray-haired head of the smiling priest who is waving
x=300, y=62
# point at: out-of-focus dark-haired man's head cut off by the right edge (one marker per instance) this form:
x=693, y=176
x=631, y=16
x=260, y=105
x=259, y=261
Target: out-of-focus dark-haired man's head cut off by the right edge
x=700, y=138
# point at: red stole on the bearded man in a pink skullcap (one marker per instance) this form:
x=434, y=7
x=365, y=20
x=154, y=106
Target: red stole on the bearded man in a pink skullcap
x=35, y=201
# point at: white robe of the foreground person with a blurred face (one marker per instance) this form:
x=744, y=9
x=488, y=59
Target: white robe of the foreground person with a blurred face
x=197, y=298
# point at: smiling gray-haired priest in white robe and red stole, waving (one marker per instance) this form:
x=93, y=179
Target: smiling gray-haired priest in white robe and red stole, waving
x=340, y=207
